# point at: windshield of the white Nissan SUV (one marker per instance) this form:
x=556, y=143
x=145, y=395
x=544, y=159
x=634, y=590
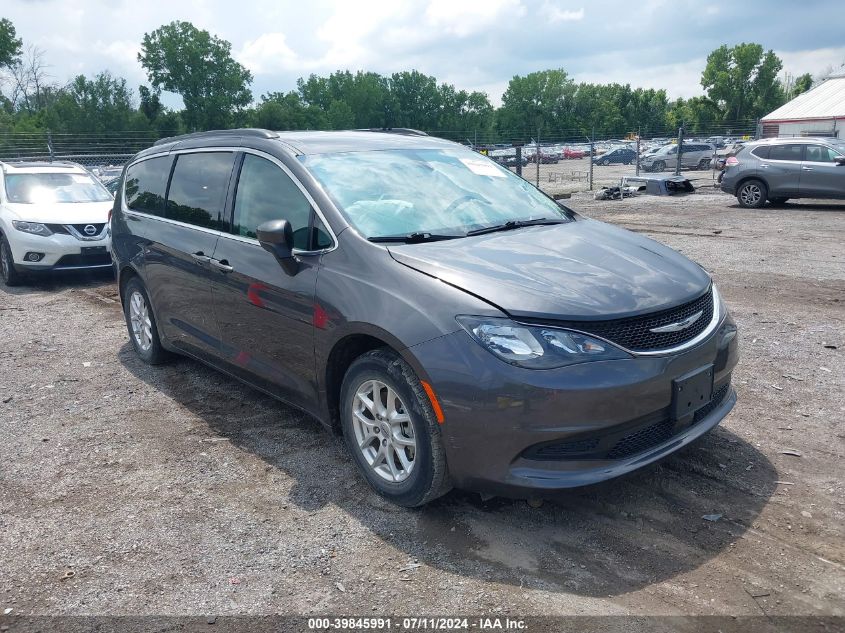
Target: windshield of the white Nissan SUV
x=54, y=187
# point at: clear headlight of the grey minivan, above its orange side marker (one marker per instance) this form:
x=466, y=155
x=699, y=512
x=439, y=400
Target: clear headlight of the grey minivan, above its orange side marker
x=537, y=347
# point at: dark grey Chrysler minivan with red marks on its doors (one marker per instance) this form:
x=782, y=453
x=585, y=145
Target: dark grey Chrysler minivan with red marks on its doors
x=456, y=324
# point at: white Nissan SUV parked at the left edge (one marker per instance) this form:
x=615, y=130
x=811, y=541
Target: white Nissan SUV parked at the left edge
x=53, y=216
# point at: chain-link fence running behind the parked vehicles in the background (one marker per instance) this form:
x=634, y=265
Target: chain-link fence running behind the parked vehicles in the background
x=559, y=163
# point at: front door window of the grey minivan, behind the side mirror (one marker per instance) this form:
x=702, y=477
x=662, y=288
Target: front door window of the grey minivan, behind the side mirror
x=266, y=193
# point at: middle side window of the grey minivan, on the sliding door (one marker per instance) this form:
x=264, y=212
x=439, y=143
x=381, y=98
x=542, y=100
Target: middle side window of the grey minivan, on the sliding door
x=198, y=188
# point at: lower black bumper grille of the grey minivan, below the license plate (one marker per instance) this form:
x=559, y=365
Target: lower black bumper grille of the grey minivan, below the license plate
x=648, y=431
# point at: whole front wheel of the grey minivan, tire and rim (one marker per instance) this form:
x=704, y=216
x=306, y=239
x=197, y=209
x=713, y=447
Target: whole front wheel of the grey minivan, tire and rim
x=423, y=476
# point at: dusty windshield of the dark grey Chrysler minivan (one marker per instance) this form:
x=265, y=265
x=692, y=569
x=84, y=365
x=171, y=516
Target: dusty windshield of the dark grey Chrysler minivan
x=438, y=191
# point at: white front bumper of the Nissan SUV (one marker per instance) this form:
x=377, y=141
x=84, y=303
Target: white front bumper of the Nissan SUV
x=61, y=252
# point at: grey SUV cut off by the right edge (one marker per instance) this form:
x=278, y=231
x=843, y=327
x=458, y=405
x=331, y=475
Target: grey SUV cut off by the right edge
x=783, y=168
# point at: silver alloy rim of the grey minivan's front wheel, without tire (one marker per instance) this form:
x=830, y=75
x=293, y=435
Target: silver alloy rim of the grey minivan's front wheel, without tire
x=384, y=431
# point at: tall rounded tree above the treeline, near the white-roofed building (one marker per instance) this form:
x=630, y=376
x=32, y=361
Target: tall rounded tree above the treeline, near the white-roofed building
x=742, y=81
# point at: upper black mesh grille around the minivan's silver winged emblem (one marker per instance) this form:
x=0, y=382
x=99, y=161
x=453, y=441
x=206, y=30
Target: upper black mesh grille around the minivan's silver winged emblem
x=634, y=333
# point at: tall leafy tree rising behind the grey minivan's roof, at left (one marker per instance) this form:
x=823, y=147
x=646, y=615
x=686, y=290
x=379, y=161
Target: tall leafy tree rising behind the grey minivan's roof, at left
x=180, y=58
